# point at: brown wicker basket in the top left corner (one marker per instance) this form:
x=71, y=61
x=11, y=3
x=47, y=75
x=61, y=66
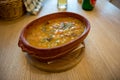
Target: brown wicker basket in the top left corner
x=11, y=9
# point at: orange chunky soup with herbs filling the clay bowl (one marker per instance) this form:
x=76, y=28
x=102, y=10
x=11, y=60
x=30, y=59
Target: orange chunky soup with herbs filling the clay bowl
x=54, y=32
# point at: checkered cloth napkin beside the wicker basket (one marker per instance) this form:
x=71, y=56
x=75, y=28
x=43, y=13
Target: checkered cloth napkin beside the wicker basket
x=33, y=6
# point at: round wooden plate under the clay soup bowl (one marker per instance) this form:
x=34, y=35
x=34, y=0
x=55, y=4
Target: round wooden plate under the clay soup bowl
x=61, y=64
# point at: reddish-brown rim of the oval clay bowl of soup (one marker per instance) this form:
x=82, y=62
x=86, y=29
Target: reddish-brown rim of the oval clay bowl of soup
x=26, y=43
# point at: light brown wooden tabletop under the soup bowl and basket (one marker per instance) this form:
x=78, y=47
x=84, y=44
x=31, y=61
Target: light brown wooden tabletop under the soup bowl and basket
x=101, y=59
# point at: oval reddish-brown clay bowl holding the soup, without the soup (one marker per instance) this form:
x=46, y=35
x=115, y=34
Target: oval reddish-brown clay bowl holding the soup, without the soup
x=48, y=54
